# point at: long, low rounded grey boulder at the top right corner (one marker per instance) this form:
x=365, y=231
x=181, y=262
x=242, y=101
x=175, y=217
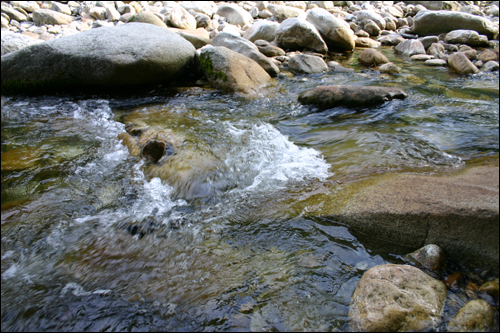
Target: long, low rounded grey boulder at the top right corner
x=430, y=22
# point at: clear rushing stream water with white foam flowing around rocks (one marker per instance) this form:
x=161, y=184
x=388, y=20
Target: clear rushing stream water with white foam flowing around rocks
x=93, y=240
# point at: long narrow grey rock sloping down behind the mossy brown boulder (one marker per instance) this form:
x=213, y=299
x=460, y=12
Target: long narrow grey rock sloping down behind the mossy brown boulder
x=247, y=48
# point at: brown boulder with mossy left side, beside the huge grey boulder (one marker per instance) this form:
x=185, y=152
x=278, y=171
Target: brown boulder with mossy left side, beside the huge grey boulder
x=231, y=70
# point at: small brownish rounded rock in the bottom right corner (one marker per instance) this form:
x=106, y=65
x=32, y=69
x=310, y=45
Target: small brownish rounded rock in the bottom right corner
x=476, y=316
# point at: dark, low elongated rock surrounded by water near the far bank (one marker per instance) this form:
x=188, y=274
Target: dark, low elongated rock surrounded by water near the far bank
x=332, y=96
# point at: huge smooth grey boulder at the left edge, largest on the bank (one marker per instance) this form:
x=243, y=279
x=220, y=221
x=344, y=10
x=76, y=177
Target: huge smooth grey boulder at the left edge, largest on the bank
x=134, y=53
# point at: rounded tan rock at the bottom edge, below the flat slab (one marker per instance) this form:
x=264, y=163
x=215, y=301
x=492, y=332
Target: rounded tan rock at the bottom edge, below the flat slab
x=394, y=298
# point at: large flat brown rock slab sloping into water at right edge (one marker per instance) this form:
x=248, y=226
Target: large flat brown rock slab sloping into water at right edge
x=458, y=212
